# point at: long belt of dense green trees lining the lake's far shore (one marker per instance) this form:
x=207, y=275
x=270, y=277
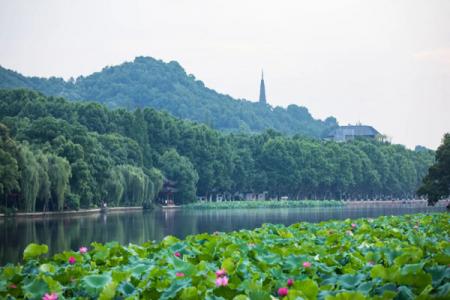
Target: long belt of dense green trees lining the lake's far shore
x=55, y=154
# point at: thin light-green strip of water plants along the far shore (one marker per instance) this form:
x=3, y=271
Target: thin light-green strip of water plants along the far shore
x=263, y=204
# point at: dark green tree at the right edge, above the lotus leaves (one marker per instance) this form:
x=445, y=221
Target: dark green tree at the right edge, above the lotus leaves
x=436, y=184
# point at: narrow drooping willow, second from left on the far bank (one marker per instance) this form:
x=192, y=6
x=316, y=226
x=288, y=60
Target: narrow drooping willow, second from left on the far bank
x=59, y=173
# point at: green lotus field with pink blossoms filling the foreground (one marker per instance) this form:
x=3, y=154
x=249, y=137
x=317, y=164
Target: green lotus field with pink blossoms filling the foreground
x=402, y=257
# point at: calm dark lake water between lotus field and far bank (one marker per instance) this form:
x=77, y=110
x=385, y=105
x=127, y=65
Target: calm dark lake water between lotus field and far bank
x=71, y=232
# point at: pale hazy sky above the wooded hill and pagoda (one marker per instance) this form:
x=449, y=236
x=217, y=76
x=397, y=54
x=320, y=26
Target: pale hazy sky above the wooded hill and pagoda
x=382, y=63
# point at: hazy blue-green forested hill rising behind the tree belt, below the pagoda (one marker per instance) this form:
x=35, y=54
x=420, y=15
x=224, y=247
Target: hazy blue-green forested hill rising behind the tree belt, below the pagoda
x=147, y=82
